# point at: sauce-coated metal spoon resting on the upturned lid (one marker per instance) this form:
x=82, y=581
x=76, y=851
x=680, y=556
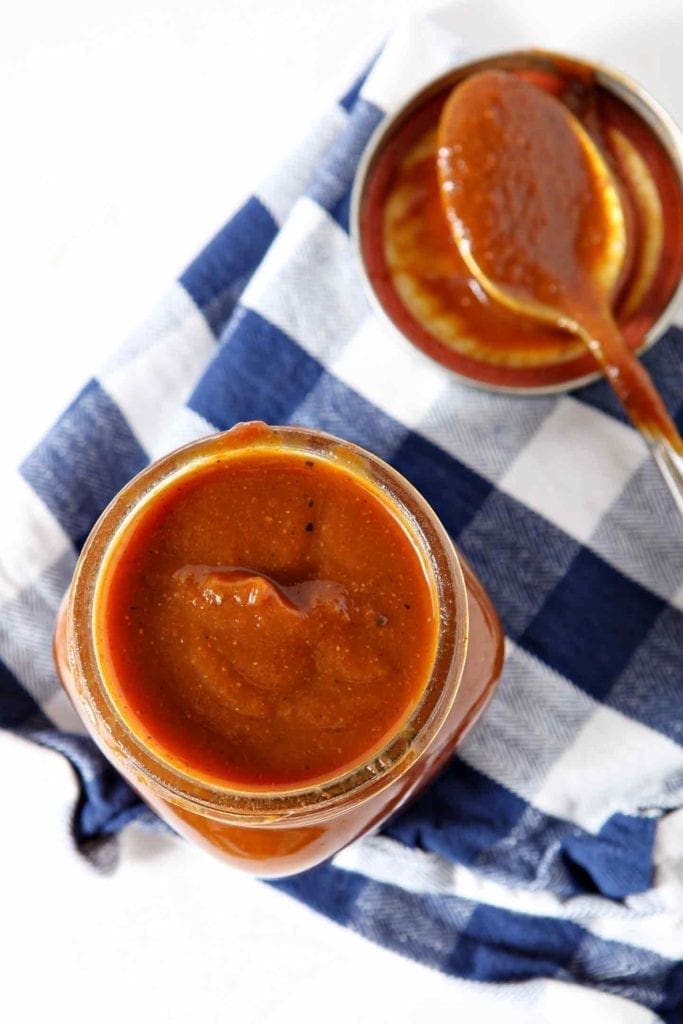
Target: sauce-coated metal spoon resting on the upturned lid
x=538, y=220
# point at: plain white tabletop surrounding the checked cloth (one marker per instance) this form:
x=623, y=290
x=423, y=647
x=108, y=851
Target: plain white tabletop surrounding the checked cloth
x=131, y=132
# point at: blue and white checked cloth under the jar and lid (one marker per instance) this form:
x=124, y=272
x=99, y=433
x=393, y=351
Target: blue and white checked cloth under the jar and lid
x=547, y=862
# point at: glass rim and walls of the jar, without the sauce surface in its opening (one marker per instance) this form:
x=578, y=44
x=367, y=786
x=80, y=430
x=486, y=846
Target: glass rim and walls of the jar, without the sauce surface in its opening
x=278, y=833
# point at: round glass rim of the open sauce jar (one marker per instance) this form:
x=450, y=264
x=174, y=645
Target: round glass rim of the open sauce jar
x=141, y=762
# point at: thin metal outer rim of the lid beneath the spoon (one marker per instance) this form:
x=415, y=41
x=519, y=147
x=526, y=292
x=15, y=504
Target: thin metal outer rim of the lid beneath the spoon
x=615, y=82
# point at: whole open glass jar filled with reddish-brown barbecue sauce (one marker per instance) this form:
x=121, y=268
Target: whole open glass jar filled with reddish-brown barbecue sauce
x=272, y=637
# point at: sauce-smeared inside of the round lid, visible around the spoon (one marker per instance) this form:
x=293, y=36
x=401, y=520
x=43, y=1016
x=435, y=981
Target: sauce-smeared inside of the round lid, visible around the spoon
x=428, y=291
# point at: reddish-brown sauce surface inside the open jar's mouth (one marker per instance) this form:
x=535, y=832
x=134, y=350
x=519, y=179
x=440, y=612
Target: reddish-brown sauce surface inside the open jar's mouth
x=267, y=621
